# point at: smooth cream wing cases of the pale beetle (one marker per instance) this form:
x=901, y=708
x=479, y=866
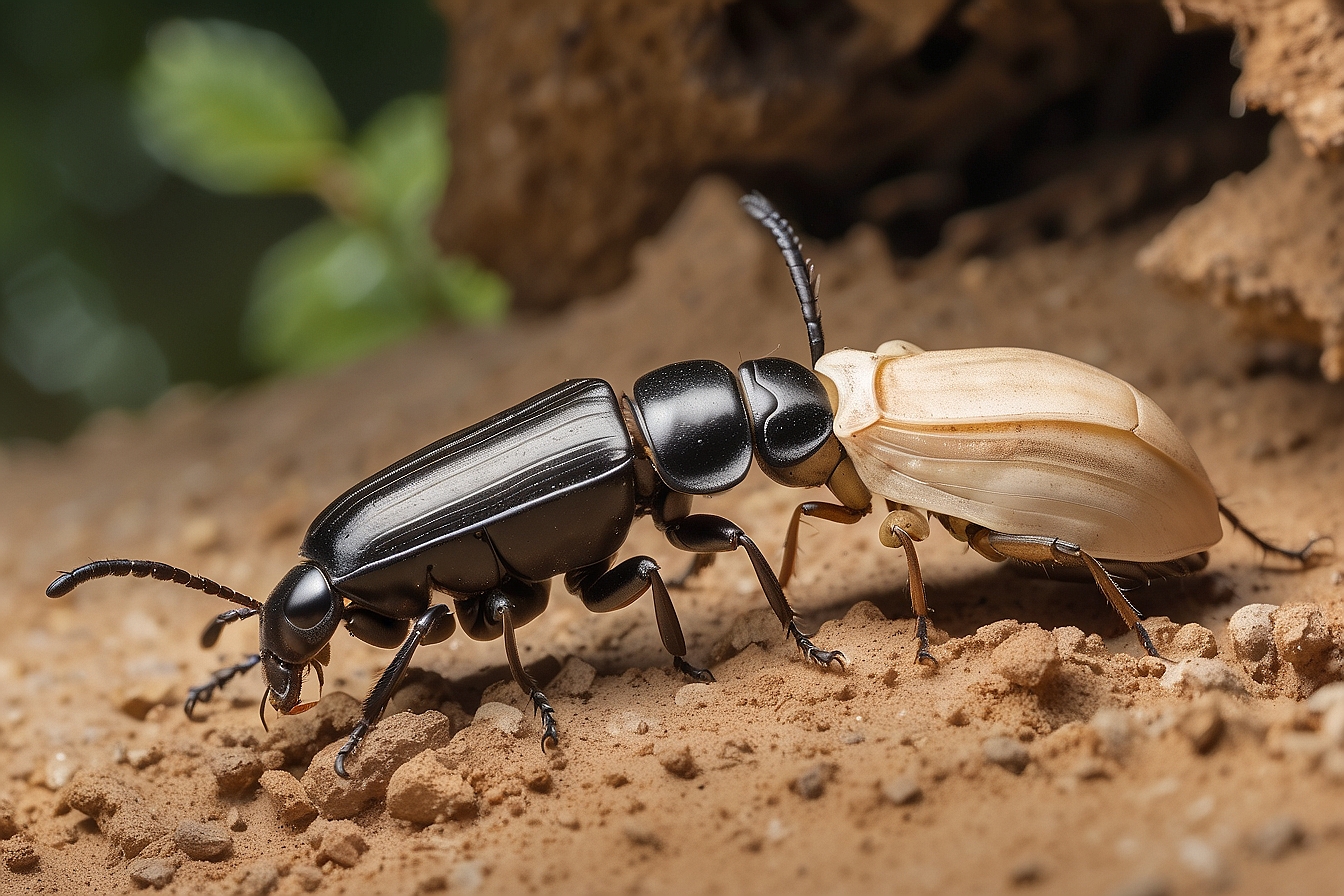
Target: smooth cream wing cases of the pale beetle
x=1023, y=443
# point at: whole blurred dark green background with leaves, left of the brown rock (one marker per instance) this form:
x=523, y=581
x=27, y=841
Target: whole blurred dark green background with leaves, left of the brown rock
x=118, y=280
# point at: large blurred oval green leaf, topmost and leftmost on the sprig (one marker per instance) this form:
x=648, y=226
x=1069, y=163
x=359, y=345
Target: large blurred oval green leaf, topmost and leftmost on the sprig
x=235, y=109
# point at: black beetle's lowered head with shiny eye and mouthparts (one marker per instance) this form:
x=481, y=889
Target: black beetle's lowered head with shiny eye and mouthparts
x=298, y=624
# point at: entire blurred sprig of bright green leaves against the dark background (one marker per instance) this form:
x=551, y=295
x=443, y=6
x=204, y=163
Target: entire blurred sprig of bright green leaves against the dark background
x=241, y=111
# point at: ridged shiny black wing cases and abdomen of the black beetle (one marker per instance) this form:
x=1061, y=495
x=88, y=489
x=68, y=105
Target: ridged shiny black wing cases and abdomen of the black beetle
x=546, y=463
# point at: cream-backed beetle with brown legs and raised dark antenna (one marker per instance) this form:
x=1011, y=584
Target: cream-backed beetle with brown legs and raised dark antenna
x=1023, y=455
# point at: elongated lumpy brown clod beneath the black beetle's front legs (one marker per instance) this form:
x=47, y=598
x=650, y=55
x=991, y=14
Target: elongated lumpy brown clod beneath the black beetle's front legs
x=386, y=749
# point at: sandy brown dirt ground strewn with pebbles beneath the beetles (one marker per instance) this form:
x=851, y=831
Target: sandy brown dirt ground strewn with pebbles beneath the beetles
x=1044, y=756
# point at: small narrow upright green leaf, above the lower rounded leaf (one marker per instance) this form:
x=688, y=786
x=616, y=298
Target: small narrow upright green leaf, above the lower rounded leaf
x=403, y=159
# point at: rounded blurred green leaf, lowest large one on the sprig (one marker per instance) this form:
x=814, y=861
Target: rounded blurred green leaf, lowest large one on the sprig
x=329, y=294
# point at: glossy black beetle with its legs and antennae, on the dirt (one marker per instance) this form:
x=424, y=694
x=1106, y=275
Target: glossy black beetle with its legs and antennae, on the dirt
x=493, y=514
